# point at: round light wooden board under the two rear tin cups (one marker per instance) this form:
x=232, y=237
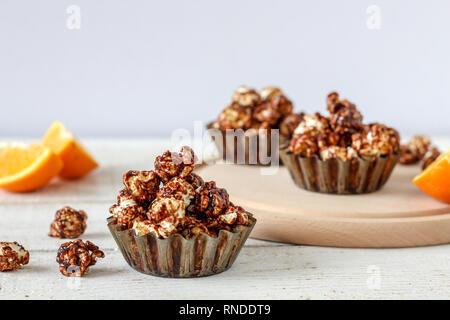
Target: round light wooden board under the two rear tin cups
x=398, y=215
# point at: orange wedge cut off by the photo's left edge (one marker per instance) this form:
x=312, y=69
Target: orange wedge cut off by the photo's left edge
x=27, y=167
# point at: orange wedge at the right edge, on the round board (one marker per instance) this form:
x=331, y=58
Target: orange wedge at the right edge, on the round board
x=435, y=179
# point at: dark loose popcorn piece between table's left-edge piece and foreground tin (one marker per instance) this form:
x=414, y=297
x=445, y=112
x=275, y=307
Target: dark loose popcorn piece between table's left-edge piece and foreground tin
x=75, y=257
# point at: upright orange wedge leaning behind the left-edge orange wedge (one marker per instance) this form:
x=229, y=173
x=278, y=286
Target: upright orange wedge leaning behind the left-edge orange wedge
x=77, y=161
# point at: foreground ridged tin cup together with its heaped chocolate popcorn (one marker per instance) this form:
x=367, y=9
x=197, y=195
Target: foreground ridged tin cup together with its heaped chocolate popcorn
x=185, y=227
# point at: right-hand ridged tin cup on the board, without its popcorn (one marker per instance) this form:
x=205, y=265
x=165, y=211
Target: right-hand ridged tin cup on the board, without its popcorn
x=337, y=176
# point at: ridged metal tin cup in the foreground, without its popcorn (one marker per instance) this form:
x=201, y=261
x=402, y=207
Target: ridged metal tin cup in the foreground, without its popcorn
x=178, y=257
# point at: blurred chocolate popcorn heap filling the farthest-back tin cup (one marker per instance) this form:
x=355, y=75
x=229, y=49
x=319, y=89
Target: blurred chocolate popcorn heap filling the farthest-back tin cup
x=267, y=109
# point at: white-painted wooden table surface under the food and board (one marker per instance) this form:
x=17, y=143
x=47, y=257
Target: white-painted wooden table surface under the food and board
x=264, y=270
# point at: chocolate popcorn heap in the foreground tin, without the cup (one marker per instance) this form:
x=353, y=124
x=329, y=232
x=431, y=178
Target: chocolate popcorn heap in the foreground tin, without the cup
x=173, y=199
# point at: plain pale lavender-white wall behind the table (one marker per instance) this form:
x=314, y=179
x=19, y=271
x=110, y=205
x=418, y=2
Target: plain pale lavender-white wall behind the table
x=144, y=68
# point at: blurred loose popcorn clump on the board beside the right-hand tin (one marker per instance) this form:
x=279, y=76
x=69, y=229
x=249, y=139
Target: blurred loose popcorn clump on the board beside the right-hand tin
x=419, y=148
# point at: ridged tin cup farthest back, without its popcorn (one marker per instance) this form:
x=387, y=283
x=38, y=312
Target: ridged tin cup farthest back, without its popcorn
x=250, y=148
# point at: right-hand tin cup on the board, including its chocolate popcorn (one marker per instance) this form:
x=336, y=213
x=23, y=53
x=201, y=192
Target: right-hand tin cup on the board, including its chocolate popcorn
x=338, y=153
